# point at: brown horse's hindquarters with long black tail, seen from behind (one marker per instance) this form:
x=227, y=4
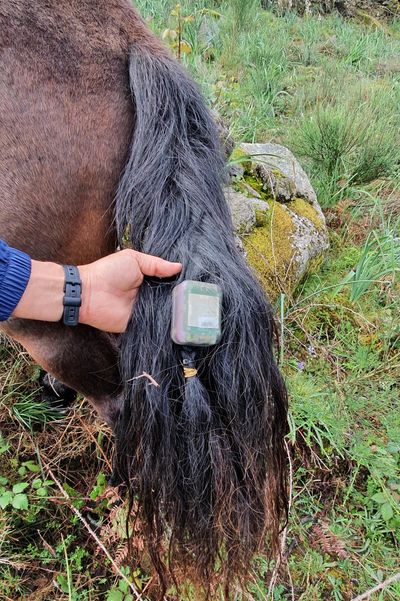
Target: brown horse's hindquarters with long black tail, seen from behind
x=105, y=141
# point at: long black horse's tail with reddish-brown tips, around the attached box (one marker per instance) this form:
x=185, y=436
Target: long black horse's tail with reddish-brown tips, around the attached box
x=204, y=458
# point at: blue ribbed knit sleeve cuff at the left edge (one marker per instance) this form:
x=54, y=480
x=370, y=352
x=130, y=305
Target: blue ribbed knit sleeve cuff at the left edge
x=15, y=271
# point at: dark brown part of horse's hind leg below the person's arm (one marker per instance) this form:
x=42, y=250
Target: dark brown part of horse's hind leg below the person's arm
x=83, y=359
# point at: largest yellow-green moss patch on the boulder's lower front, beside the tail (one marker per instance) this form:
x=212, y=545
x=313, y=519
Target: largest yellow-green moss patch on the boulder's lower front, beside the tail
x=270, y=251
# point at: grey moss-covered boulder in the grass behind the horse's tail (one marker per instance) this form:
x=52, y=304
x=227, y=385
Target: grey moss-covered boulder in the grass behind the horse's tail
x=277, y=216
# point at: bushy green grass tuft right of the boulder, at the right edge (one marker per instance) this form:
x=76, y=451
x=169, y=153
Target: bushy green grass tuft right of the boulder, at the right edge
x=352, y=143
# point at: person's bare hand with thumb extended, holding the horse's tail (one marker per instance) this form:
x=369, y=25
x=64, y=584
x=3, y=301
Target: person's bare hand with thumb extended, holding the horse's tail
x=111, y=284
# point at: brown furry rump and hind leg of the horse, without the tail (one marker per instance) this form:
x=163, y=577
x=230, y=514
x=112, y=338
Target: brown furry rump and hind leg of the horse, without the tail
x=66, y=119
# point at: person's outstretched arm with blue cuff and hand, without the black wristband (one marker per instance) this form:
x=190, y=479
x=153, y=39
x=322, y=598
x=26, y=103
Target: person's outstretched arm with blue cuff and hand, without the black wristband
x=109, y=287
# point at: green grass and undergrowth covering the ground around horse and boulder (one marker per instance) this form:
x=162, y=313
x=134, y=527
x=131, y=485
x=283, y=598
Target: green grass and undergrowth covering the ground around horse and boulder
x=330, y=90
